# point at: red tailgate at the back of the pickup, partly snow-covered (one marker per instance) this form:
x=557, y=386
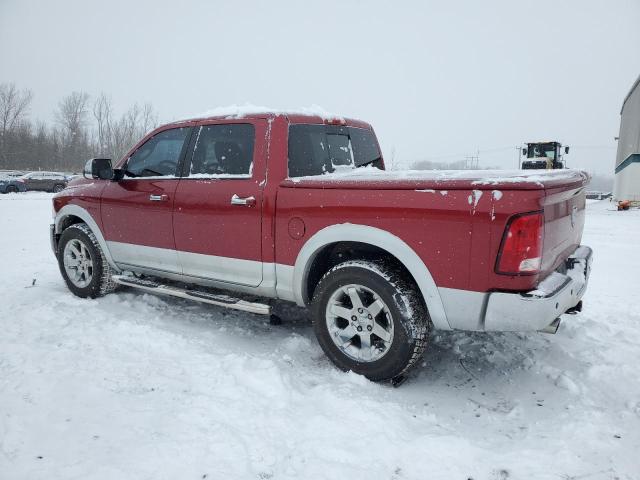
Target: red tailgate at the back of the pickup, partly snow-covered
x=564, y=214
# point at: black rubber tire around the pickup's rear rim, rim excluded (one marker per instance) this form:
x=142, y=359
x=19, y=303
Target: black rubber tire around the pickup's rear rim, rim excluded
x=405, y=307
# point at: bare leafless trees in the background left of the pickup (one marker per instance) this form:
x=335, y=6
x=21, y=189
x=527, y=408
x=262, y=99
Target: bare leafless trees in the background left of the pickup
x=84, y=128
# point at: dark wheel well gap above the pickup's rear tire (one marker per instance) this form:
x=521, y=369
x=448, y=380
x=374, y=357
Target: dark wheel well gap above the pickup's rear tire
x=334, y=253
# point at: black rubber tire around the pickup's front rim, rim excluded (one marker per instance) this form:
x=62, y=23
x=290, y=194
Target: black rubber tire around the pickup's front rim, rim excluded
x=100, y=283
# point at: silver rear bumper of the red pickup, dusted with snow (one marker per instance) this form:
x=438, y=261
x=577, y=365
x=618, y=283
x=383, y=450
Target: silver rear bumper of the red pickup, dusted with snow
x=538, y=308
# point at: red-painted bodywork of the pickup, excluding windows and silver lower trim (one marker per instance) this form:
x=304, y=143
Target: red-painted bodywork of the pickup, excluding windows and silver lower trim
x=458, y=242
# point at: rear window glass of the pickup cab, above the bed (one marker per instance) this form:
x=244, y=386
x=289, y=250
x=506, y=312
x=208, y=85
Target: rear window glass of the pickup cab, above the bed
x=319, y=149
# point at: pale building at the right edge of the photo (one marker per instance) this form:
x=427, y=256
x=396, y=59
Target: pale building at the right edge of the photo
x=627, y=185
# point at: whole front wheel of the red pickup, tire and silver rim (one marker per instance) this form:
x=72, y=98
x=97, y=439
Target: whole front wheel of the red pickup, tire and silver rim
x=83, y=264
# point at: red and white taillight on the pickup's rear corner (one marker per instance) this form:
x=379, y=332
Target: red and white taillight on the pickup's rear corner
x=521, y=249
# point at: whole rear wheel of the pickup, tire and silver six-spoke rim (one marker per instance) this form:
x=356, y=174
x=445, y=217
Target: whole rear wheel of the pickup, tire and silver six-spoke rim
x=371, y=319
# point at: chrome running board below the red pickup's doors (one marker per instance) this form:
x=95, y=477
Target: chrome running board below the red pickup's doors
x=195, y=295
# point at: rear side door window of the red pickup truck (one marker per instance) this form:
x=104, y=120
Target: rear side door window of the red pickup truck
x=223, y=151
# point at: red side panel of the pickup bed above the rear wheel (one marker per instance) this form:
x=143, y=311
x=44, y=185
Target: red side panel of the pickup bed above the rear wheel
x=457, y=233
